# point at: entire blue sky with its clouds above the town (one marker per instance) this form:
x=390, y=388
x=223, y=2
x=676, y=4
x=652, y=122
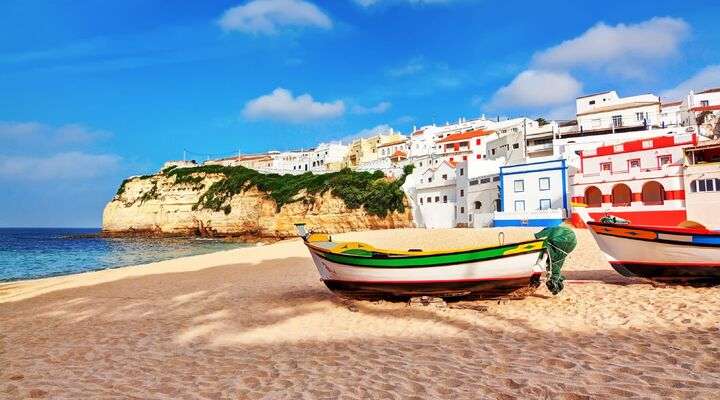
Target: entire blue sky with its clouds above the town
x=95, y=91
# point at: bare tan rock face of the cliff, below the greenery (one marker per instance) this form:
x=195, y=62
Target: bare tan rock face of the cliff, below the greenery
x=158, y=205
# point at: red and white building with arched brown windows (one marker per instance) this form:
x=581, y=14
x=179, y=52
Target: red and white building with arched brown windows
x=640, y=180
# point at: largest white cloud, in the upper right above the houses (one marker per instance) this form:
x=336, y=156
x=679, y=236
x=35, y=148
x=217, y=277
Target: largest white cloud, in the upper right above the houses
x=623, y=49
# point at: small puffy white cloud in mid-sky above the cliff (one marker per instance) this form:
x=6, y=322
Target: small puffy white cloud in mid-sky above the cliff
x=280, y=105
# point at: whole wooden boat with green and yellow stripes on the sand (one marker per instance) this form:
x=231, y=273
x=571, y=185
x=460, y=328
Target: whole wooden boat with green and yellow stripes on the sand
x=359, y=270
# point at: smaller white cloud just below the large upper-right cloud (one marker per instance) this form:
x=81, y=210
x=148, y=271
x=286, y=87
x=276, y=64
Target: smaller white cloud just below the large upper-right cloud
x=537, y=88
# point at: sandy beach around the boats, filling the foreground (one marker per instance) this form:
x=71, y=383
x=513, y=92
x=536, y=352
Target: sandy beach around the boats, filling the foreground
x=257, y=323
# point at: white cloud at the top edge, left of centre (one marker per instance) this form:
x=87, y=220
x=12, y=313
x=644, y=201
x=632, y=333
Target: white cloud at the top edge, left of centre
x=266, y=16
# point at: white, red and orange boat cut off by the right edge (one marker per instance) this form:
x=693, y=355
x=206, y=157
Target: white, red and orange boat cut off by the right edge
x=671, y=254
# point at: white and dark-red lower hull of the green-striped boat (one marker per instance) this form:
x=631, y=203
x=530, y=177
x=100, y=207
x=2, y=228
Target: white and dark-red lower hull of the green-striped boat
x=515, y=275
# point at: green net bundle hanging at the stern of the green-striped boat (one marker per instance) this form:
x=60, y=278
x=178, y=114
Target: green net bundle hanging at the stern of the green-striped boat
x=559, y=242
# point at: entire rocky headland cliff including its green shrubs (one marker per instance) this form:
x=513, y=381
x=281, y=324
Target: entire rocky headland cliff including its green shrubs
x=228, y=201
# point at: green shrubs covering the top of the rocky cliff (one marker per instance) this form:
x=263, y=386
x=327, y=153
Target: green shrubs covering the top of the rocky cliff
x=378, y=195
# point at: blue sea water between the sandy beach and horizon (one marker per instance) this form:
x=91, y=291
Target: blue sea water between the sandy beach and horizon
x=39, y=252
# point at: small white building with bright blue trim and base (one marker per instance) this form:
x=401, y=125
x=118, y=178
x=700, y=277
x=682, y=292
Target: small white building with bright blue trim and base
x=533, y=194
